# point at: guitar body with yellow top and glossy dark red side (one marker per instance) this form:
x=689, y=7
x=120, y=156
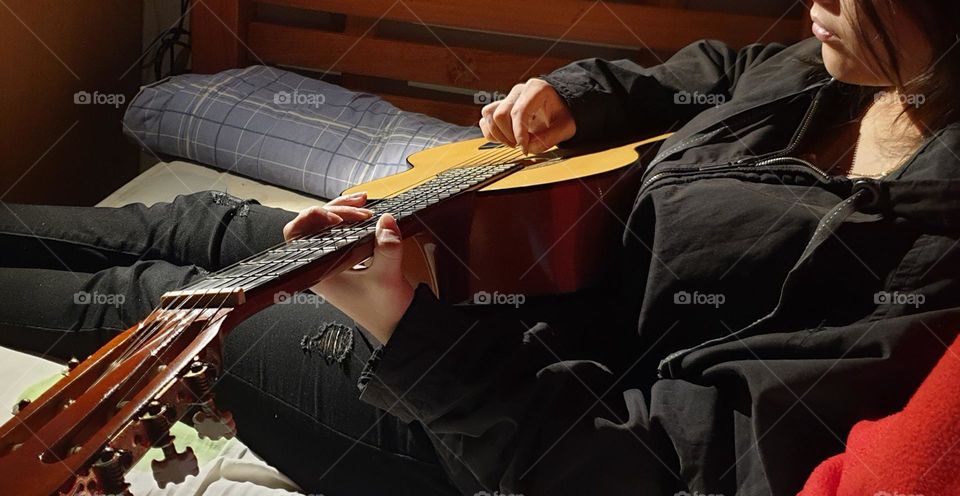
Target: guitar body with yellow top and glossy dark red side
x=545, y=229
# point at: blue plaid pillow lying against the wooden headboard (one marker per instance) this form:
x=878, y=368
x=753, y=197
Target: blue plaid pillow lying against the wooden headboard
x=282, y=128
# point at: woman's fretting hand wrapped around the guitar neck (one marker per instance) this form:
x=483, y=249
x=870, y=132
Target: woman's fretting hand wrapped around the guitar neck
x=376, y=296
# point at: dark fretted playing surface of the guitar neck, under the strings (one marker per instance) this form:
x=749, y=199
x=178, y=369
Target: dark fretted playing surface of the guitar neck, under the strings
x=272, y=264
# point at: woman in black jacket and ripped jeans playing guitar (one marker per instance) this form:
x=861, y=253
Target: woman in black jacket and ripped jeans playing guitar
x=789, y=269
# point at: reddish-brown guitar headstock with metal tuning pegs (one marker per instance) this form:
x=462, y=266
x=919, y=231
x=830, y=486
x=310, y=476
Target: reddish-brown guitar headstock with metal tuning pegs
x=86, y=431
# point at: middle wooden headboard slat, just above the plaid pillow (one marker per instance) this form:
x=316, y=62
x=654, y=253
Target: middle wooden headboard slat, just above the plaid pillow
x=368, y=56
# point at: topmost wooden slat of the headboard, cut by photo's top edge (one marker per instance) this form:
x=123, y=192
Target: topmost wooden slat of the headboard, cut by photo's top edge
x=659, y=28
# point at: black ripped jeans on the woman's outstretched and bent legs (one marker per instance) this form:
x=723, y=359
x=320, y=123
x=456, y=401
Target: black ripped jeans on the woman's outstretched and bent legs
x=72, y=277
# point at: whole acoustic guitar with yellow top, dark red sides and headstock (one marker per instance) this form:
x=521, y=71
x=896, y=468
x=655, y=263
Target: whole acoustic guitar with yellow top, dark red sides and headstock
x=478, y=218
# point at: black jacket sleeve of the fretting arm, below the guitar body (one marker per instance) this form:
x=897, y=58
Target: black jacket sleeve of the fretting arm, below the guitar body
x=512, y=413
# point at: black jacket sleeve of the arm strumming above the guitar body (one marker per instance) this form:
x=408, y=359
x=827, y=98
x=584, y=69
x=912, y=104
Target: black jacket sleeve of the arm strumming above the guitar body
x=617, y=99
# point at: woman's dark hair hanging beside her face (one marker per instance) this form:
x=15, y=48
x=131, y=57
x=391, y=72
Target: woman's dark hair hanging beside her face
x=938, y=83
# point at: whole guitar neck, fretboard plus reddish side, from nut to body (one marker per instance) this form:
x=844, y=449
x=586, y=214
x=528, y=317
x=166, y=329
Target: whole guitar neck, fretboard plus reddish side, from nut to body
x=323, y=252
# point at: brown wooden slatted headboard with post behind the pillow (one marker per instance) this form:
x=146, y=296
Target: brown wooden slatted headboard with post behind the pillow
x=447, y=57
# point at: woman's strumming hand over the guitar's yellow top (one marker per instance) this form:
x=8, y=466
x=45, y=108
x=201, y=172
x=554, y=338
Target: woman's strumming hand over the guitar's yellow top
x=532, y=116
